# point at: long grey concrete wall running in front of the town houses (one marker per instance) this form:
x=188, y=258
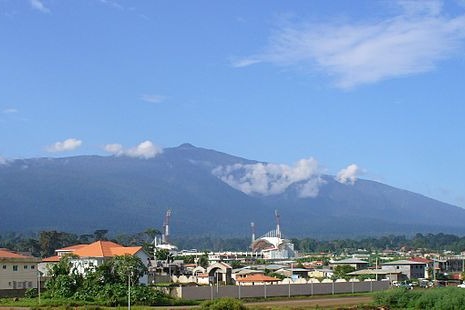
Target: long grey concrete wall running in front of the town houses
x=213, y=292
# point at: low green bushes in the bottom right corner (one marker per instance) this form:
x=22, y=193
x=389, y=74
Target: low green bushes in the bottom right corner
x=441, y=298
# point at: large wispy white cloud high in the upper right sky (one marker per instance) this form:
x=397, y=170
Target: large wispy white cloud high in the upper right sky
x=359, y=53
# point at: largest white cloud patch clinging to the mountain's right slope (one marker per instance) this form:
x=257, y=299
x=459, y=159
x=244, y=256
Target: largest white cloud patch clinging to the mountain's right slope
x=272, y=179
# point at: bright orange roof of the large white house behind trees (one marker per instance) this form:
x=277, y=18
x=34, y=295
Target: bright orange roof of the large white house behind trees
x=101, y=249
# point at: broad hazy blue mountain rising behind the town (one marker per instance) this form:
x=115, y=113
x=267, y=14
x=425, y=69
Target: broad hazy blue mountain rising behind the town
x=209, y=193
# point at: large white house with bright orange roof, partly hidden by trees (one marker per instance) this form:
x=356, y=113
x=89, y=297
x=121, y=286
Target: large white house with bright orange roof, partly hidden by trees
x=88, y=256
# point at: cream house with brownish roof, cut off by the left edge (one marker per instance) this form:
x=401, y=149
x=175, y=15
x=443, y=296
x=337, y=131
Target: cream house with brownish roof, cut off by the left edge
x=17, y=271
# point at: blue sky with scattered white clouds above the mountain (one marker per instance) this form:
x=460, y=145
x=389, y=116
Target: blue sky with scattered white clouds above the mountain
x=357, y=89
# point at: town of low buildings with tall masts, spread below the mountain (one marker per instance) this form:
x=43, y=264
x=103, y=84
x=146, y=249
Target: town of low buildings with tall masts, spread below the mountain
x=270, y=267
